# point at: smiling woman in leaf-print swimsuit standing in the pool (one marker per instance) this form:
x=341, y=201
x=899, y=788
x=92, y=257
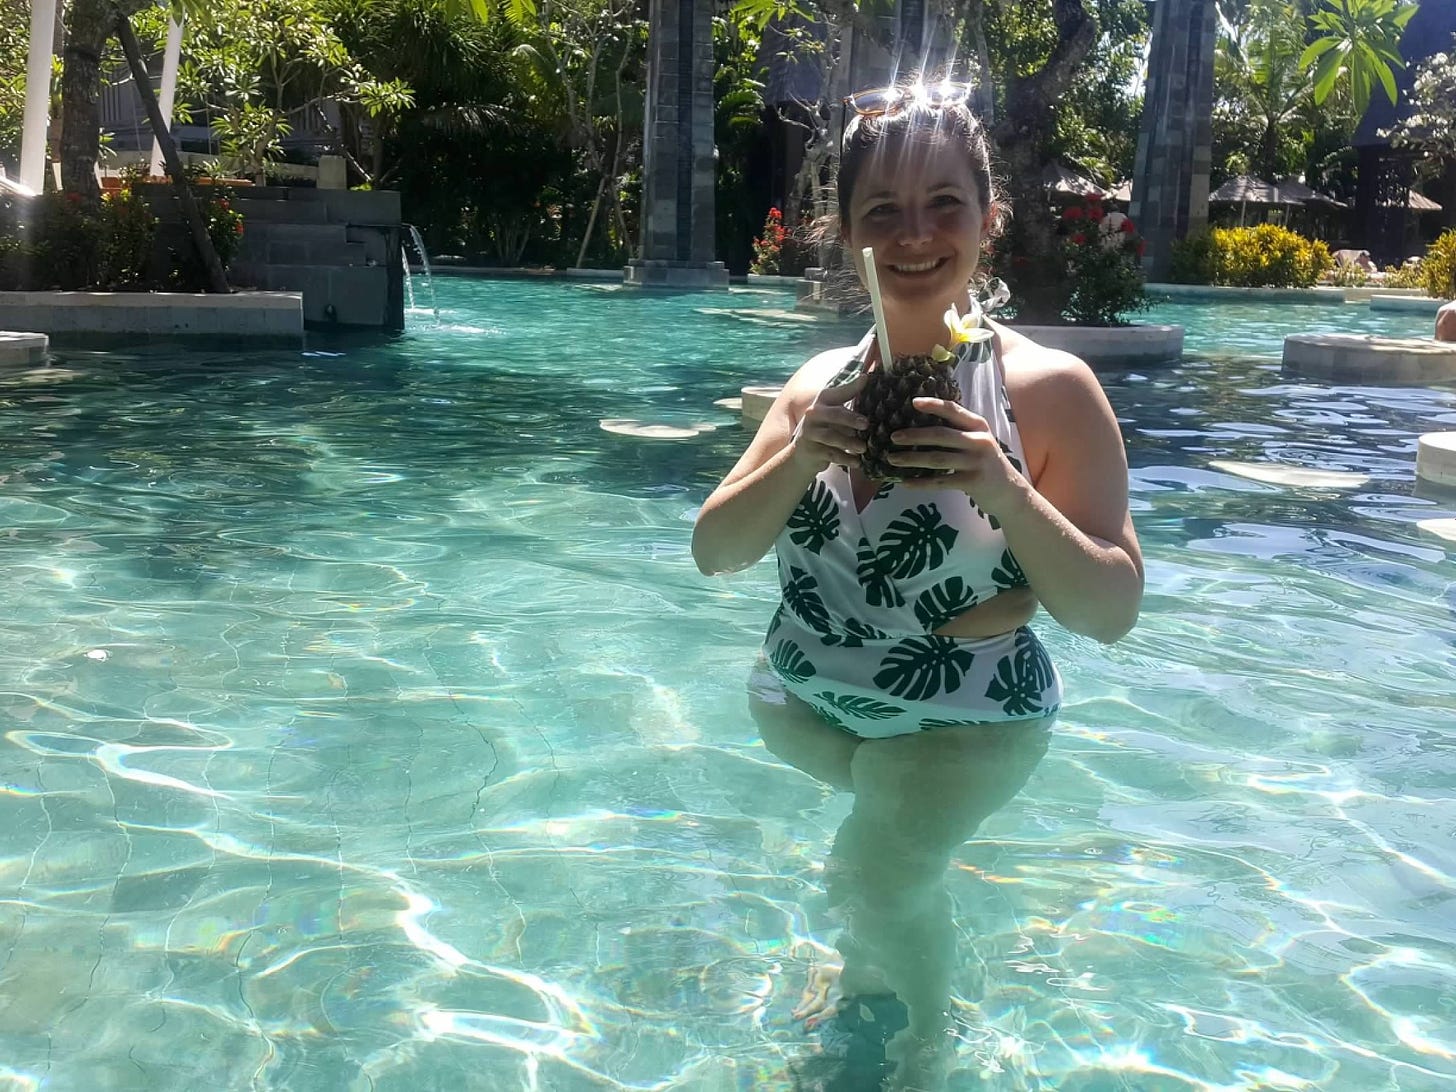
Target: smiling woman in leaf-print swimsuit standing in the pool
x=899, y=665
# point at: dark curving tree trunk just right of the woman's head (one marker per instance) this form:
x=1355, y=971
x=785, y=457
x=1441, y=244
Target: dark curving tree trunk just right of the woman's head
x=1036, y=272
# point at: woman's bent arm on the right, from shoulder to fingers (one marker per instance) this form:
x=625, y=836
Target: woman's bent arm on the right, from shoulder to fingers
x=1072, y=534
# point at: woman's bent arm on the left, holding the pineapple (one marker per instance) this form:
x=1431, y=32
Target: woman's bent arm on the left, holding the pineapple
x=804, y=432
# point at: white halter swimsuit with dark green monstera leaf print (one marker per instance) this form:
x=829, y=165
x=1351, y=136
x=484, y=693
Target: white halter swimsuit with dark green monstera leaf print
x=864, y=593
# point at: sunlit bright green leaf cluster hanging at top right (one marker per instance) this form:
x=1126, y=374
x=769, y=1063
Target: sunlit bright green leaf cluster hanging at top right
x=1361, y=40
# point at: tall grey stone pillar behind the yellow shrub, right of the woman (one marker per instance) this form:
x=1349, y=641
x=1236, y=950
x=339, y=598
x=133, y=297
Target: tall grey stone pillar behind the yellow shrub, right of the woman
x=1176, y=138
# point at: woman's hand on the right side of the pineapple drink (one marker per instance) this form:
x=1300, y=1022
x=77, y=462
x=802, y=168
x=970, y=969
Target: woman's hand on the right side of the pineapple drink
x=966, y=449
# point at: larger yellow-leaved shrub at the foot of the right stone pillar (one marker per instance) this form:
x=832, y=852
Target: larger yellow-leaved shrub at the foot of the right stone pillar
x=1263, y=257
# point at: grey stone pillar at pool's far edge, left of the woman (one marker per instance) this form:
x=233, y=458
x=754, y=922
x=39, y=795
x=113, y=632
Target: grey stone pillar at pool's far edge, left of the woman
x=678, y=170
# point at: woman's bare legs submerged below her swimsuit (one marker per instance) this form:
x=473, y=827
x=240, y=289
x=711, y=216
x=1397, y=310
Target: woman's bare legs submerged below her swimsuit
x=918, y=799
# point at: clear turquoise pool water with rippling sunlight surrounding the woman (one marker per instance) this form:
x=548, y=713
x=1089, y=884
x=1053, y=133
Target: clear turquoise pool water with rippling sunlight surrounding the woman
x=366, y=726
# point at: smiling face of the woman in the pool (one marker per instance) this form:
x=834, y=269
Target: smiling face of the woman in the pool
x=918, y=205
